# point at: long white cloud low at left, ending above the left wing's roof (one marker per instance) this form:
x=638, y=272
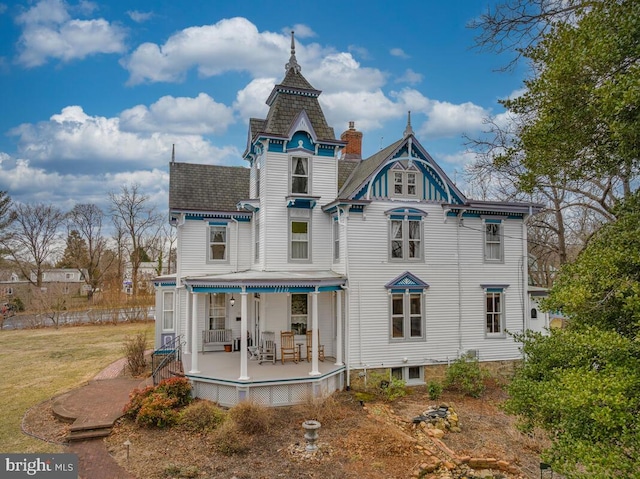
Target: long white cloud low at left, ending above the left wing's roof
x=76, y=142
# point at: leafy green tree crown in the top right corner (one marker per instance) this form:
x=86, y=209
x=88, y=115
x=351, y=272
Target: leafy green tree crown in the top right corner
x=580, y=110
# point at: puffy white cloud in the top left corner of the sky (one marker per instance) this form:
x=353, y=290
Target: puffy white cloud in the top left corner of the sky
x=50, y=32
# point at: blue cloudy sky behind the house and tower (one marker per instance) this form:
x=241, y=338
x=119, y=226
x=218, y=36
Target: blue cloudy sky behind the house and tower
x=95, y=93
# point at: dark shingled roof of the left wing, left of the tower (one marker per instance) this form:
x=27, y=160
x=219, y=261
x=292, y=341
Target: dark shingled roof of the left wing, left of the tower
x=207, y=187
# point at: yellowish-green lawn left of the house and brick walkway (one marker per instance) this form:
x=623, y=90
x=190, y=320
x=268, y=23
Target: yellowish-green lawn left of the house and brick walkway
x=38, y=364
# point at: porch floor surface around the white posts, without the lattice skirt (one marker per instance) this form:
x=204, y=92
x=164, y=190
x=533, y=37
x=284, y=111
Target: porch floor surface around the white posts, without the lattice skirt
x=223, y=366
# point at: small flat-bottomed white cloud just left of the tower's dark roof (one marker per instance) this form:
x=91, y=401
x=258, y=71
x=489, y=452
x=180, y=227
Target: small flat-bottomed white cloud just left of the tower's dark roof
x=190, y=116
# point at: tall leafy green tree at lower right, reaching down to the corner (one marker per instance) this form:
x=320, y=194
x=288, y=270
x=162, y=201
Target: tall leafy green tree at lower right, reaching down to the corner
x=582, y=384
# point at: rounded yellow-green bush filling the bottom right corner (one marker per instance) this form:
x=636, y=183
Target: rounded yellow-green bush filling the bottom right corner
x=583, y=386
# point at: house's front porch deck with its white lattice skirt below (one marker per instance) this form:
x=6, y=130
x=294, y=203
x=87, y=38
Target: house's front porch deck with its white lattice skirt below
x=268, y=384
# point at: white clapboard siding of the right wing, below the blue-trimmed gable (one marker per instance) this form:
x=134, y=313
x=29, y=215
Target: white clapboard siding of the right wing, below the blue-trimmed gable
x=449, y=329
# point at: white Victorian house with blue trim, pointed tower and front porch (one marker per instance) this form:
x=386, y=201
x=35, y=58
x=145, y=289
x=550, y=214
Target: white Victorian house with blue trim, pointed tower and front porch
x=383, y=259
